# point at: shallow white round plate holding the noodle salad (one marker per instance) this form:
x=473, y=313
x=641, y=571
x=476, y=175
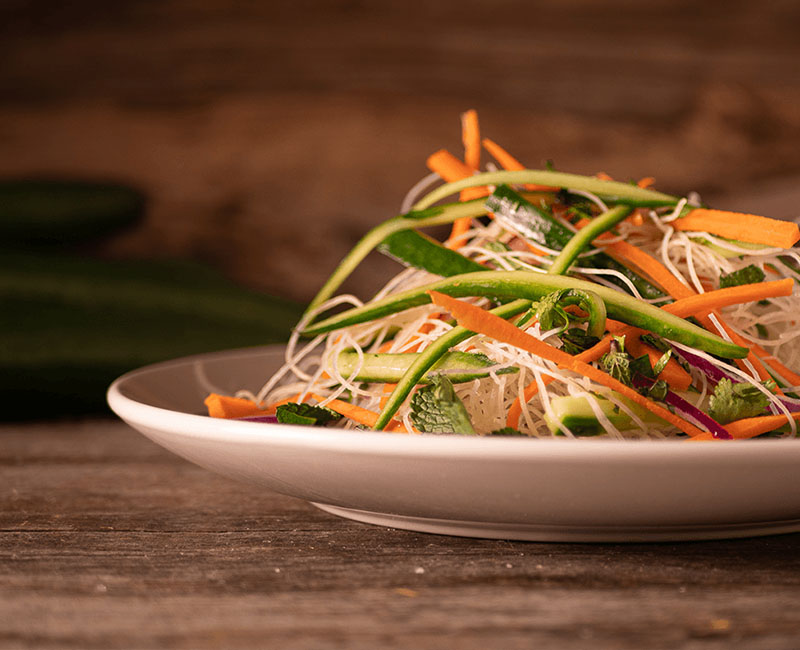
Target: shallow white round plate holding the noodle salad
x=509, y=488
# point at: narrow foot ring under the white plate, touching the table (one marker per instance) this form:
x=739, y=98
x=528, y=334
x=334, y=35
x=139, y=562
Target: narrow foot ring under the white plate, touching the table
x=558, y=533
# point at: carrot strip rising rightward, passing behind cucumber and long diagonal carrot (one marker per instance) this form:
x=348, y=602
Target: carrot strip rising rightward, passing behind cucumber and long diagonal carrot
x=682, y=307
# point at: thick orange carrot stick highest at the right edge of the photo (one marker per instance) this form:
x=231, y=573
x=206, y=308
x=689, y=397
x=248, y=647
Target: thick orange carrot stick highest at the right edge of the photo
x=740, y=226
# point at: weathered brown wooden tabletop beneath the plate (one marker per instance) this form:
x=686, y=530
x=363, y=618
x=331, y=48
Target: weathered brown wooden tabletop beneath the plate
x=108, y=541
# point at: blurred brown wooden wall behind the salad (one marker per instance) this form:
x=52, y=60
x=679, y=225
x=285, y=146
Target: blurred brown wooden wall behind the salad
x=269, y=135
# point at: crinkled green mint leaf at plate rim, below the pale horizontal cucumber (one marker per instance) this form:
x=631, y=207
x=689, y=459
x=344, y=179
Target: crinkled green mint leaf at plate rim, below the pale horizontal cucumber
x=437, y=409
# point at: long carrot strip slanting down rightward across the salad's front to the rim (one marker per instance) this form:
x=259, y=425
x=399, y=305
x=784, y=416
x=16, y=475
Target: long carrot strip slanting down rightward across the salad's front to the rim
x=479, y=320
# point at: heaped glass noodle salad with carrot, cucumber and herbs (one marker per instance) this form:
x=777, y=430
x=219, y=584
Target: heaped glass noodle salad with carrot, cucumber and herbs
x=560, y=305
